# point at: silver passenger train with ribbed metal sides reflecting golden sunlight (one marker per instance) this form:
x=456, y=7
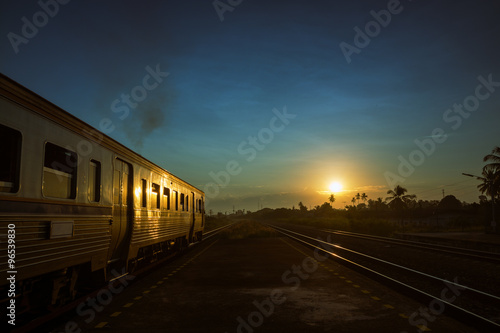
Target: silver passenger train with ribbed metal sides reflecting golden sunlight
x=76, y=206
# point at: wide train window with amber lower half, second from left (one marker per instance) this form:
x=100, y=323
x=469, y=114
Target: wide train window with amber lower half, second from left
x=59, y=172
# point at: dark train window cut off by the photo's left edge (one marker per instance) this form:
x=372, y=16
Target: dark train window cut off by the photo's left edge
x=10, y=150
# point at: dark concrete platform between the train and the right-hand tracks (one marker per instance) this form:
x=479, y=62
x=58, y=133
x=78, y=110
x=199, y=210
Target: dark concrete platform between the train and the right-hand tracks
x=256, y=285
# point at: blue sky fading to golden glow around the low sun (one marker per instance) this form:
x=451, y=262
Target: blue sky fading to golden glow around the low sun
x=266, y=103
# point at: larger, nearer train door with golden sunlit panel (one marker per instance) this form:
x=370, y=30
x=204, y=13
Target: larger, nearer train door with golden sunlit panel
x=122, y=211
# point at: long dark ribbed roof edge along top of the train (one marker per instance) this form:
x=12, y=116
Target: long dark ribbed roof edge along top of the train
x=21, y=95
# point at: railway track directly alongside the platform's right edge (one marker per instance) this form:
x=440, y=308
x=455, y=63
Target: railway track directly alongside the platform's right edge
x=476, y=307
